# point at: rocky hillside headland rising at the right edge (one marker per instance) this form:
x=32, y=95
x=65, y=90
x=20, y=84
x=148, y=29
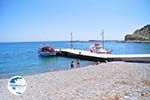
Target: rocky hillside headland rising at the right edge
x=142, y=34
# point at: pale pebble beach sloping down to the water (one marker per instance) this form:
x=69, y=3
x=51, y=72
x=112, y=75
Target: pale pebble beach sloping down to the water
x=112, y=80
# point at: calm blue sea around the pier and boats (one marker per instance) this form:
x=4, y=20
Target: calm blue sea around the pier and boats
x=21, y=58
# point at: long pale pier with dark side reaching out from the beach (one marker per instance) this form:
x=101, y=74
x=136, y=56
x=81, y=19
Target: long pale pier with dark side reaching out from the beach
x=87, y=55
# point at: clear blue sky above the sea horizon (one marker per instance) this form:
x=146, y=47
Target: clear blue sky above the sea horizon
x=50, y=20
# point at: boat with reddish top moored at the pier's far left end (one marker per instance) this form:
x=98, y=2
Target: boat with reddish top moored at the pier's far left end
x=47, y=51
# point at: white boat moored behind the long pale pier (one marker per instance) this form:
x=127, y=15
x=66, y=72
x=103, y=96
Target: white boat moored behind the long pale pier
x=97, y=48
